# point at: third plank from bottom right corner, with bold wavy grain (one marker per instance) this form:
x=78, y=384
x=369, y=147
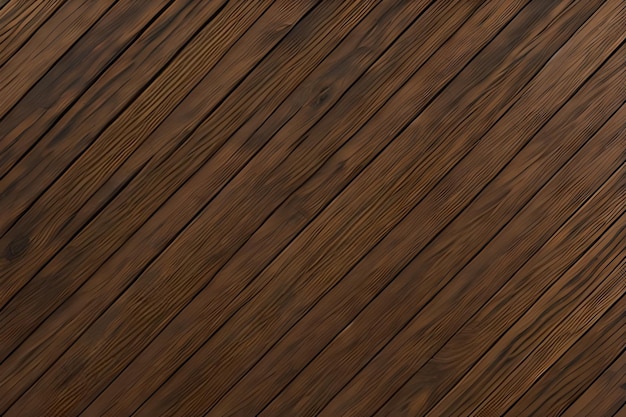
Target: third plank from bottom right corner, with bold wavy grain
x=611, y=288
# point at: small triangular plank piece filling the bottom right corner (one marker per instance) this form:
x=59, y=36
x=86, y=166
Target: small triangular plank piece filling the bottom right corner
x=607, y=394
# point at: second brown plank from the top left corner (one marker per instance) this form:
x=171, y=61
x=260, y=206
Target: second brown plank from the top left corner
x=47, y=45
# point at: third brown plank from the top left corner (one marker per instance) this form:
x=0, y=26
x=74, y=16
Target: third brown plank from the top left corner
x=72, y=75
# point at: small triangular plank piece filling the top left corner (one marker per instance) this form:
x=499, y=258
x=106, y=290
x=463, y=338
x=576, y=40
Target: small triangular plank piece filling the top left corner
x=19, y=20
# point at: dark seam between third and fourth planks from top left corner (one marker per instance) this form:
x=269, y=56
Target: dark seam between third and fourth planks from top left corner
x=90, y=84
